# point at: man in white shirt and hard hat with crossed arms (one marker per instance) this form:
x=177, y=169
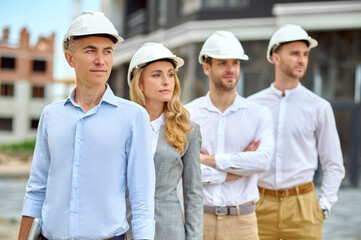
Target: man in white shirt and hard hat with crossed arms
x=237, y=143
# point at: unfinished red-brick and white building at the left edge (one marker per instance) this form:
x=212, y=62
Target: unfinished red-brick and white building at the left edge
x=25, y=75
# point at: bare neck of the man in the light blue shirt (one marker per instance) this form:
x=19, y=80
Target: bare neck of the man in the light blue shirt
x=87, y=98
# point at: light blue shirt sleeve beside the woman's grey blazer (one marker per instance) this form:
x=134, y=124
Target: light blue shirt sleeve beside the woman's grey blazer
x=141, y=178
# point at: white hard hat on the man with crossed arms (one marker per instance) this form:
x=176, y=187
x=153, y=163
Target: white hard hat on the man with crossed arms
x=222, y=45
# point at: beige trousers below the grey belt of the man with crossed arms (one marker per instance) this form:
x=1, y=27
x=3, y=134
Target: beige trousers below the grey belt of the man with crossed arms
x=230, y=227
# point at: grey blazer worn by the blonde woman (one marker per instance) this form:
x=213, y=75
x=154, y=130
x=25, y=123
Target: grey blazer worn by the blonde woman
x=170, y=166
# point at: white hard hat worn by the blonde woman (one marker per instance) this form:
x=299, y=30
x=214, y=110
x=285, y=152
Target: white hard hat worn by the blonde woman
x=150, y=52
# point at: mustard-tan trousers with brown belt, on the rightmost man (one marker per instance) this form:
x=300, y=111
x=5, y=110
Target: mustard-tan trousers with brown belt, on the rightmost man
x=292, y=217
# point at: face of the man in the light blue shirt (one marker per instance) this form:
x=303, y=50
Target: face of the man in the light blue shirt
x=92, y=59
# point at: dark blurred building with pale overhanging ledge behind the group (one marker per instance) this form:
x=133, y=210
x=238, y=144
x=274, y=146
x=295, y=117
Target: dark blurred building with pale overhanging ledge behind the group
x=334, y=70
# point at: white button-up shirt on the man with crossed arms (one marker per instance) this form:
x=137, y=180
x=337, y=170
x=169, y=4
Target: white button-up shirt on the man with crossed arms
x=226, y=135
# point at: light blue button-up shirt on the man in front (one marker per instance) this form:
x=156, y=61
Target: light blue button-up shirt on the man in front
x=83, y=163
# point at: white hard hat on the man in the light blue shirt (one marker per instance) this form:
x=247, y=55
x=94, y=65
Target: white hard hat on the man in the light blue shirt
x=91, y=23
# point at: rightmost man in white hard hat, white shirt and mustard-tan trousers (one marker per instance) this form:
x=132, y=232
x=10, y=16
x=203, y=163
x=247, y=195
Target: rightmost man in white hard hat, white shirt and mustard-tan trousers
x=305, y=130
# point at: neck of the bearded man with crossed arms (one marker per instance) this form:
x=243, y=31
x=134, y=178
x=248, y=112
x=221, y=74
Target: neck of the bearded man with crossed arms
x=222, y=100
